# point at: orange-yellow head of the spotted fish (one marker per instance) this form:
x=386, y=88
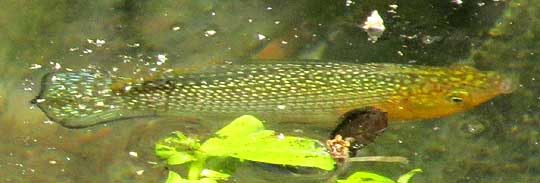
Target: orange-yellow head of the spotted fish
x=444, y=92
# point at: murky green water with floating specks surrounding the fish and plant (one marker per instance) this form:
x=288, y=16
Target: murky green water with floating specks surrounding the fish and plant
x=495, y=142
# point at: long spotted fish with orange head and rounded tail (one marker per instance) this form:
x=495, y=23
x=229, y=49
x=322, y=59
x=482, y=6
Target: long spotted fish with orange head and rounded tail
x=282, y=91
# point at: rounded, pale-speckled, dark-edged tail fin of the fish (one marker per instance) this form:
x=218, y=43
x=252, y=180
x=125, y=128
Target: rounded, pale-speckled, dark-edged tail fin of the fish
x=82, y=99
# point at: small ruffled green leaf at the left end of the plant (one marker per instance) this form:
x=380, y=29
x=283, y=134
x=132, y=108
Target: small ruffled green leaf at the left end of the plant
x=177, y=149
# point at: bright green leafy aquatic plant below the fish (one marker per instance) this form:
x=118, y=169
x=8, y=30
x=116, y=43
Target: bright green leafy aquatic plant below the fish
x=246, y=139
